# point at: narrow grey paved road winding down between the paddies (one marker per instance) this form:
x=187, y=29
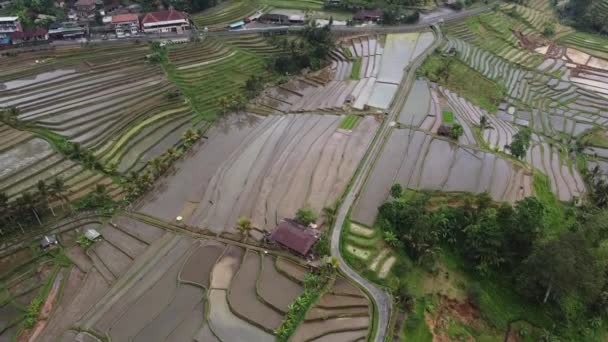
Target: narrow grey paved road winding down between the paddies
x=380, y=297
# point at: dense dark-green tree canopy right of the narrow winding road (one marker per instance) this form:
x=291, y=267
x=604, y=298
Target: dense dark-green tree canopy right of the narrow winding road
x=565, y=268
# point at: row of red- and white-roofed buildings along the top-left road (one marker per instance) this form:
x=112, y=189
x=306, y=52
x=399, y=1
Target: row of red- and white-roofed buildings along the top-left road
x=83, y=22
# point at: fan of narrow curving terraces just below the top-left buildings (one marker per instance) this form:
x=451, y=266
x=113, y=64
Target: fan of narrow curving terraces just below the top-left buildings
x=114, y=104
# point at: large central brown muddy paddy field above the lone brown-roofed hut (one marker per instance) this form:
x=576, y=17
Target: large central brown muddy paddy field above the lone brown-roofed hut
x=262, y=168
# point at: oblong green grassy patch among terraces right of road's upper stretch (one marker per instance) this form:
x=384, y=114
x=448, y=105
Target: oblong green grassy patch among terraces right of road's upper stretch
x=457, y=76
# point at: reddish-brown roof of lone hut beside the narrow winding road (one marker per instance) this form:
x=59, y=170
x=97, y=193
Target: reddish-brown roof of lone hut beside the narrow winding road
x=294, y=236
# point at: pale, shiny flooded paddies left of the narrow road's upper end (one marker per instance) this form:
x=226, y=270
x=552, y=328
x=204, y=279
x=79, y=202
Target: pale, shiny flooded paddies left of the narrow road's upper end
x=365, y=73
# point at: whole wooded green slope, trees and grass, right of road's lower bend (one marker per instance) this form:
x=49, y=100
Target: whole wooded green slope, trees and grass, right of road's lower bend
x=513, y=263
